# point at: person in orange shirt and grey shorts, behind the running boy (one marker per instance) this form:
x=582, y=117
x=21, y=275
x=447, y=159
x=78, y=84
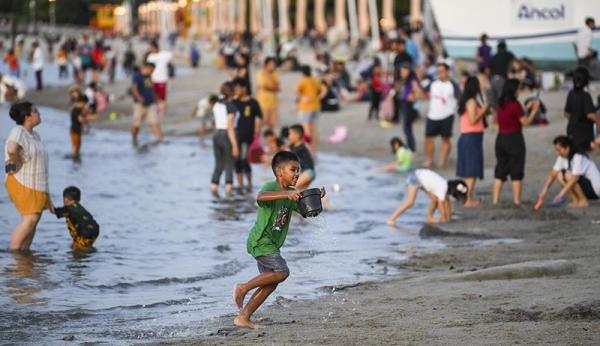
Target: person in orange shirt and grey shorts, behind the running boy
x=310, y=92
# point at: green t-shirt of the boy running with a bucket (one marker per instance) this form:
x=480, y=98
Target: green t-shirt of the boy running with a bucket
x=272, y=223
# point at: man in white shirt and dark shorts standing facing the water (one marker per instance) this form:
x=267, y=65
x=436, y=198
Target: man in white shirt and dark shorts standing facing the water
x=443, y=95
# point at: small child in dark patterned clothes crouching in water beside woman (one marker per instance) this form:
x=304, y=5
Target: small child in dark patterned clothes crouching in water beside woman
x=82, y=226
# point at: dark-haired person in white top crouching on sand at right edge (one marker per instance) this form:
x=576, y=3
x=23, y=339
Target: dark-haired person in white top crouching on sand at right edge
x=577, y=174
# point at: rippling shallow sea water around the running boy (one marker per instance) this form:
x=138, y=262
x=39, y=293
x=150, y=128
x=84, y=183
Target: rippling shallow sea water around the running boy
x=168, y=251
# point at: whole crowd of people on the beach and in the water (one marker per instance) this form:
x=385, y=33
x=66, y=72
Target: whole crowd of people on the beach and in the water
x=502, y=91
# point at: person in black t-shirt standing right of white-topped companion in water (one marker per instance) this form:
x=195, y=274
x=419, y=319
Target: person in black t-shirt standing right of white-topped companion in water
x=248, y=123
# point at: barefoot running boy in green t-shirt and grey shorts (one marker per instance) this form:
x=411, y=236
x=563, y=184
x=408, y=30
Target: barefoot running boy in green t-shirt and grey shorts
x=276, y=201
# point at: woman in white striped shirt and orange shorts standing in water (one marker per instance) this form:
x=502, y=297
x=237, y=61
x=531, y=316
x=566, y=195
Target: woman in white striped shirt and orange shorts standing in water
x=26, y=160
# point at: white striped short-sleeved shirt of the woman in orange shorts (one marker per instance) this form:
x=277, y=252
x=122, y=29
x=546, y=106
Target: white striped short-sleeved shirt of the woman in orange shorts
x=34, y=172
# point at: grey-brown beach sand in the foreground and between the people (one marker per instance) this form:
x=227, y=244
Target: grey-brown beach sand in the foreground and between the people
x=551, y=295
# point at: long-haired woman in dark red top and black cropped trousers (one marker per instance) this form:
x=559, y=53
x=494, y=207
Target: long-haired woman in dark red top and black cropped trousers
x=510, y=144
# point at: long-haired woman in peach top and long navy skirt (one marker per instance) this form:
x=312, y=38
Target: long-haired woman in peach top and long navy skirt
x=469, y=165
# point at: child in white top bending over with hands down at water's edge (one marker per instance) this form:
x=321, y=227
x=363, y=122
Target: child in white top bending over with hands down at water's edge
x=437, y=188
